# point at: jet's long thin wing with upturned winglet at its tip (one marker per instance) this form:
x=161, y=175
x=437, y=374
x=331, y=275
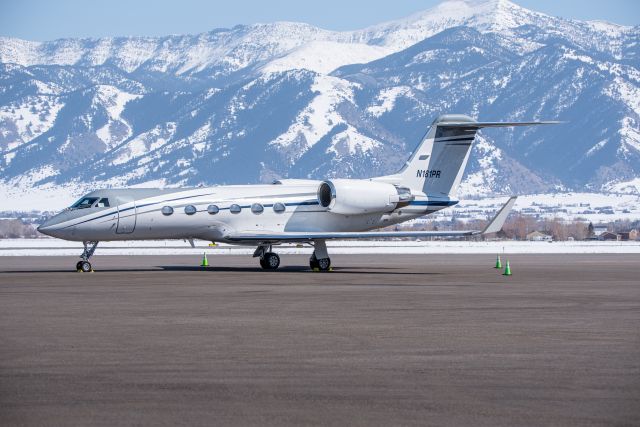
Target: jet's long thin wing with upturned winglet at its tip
x=494, y=226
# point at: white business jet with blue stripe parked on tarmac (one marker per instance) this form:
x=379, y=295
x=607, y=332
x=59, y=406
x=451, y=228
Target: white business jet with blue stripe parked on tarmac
x=289, y=210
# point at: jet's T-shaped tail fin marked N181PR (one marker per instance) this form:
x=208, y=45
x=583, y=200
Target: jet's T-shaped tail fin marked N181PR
x=436, y=167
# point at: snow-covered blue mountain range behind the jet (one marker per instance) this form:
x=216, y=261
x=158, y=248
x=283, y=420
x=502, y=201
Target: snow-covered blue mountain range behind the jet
x=258, y=102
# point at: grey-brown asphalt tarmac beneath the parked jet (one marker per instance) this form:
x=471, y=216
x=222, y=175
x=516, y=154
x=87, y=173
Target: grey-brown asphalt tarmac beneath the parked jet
x=381, y=340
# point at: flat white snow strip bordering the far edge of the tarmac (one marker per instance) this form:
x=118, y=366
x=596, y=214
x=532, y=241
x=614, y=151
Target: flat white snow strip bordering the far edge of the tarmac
x=53, y=247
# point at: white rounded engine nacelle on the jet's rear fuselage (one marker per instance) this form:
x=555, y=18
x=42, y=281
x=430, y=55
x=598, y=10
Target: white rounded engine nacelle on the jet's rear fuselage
x=356, y=196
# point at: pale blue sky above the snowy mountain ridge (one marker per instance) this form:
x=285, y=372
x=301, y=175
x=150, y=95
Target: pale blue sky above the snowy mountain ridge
x=48, y=19
